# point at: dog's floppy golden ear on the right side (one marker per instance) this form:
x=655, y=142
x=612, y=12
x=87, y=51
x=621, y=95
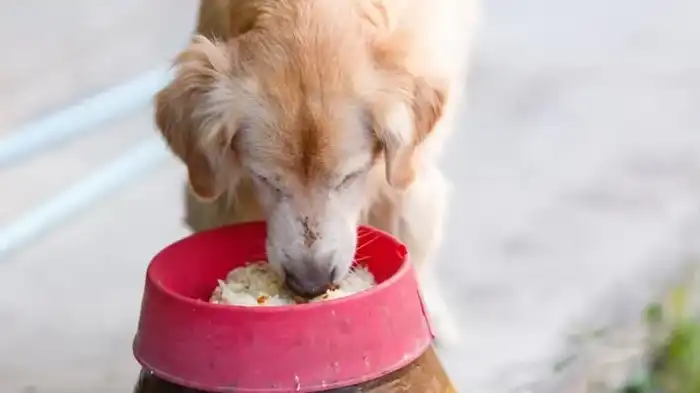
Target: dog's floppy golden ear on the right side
x=403, y=122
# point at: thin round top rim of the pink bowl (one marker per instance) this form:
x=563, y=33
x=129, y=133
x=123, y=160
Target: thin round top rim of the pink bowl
x=405, y=268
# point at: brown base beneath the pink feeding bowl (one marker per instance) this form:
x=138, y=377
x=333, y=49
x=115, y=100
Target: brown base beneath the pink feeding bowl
x=425, y=375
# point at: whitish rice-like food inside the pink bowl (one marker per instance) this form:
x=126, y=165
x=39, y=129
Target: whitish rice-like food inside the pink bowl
x=257, y=284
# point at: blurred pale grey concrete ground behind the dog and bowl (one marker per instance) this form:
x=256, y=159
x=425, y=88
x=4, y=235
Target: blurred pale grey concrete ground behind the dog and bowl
x=576, y=173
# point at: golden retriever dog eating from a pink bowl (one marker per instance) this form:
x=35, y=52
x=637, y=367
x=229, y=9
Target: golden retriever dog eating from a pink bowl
x=318, y=116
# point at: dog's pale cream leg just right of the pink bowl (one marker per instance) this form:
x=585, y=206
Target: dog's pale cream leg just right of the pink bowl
x=421, y=213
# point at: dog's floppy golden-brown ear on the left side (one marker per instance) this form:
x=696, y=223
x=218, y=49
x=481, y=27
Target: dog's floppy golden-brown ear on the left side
x=194, y=113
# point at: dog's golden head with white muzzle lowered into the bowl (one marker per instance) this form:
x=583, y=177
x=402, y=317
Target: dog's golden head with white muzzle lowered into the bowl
x=305, y=108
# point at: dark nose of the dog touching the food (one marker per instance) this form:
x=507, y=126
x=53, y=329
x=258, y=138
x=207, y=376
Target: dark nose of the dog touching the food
x=309, y=279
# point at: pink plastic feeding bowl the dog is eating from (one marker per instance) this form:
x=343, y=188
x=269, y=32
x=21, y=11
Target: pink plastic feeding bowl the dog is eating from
x=303, y=348
